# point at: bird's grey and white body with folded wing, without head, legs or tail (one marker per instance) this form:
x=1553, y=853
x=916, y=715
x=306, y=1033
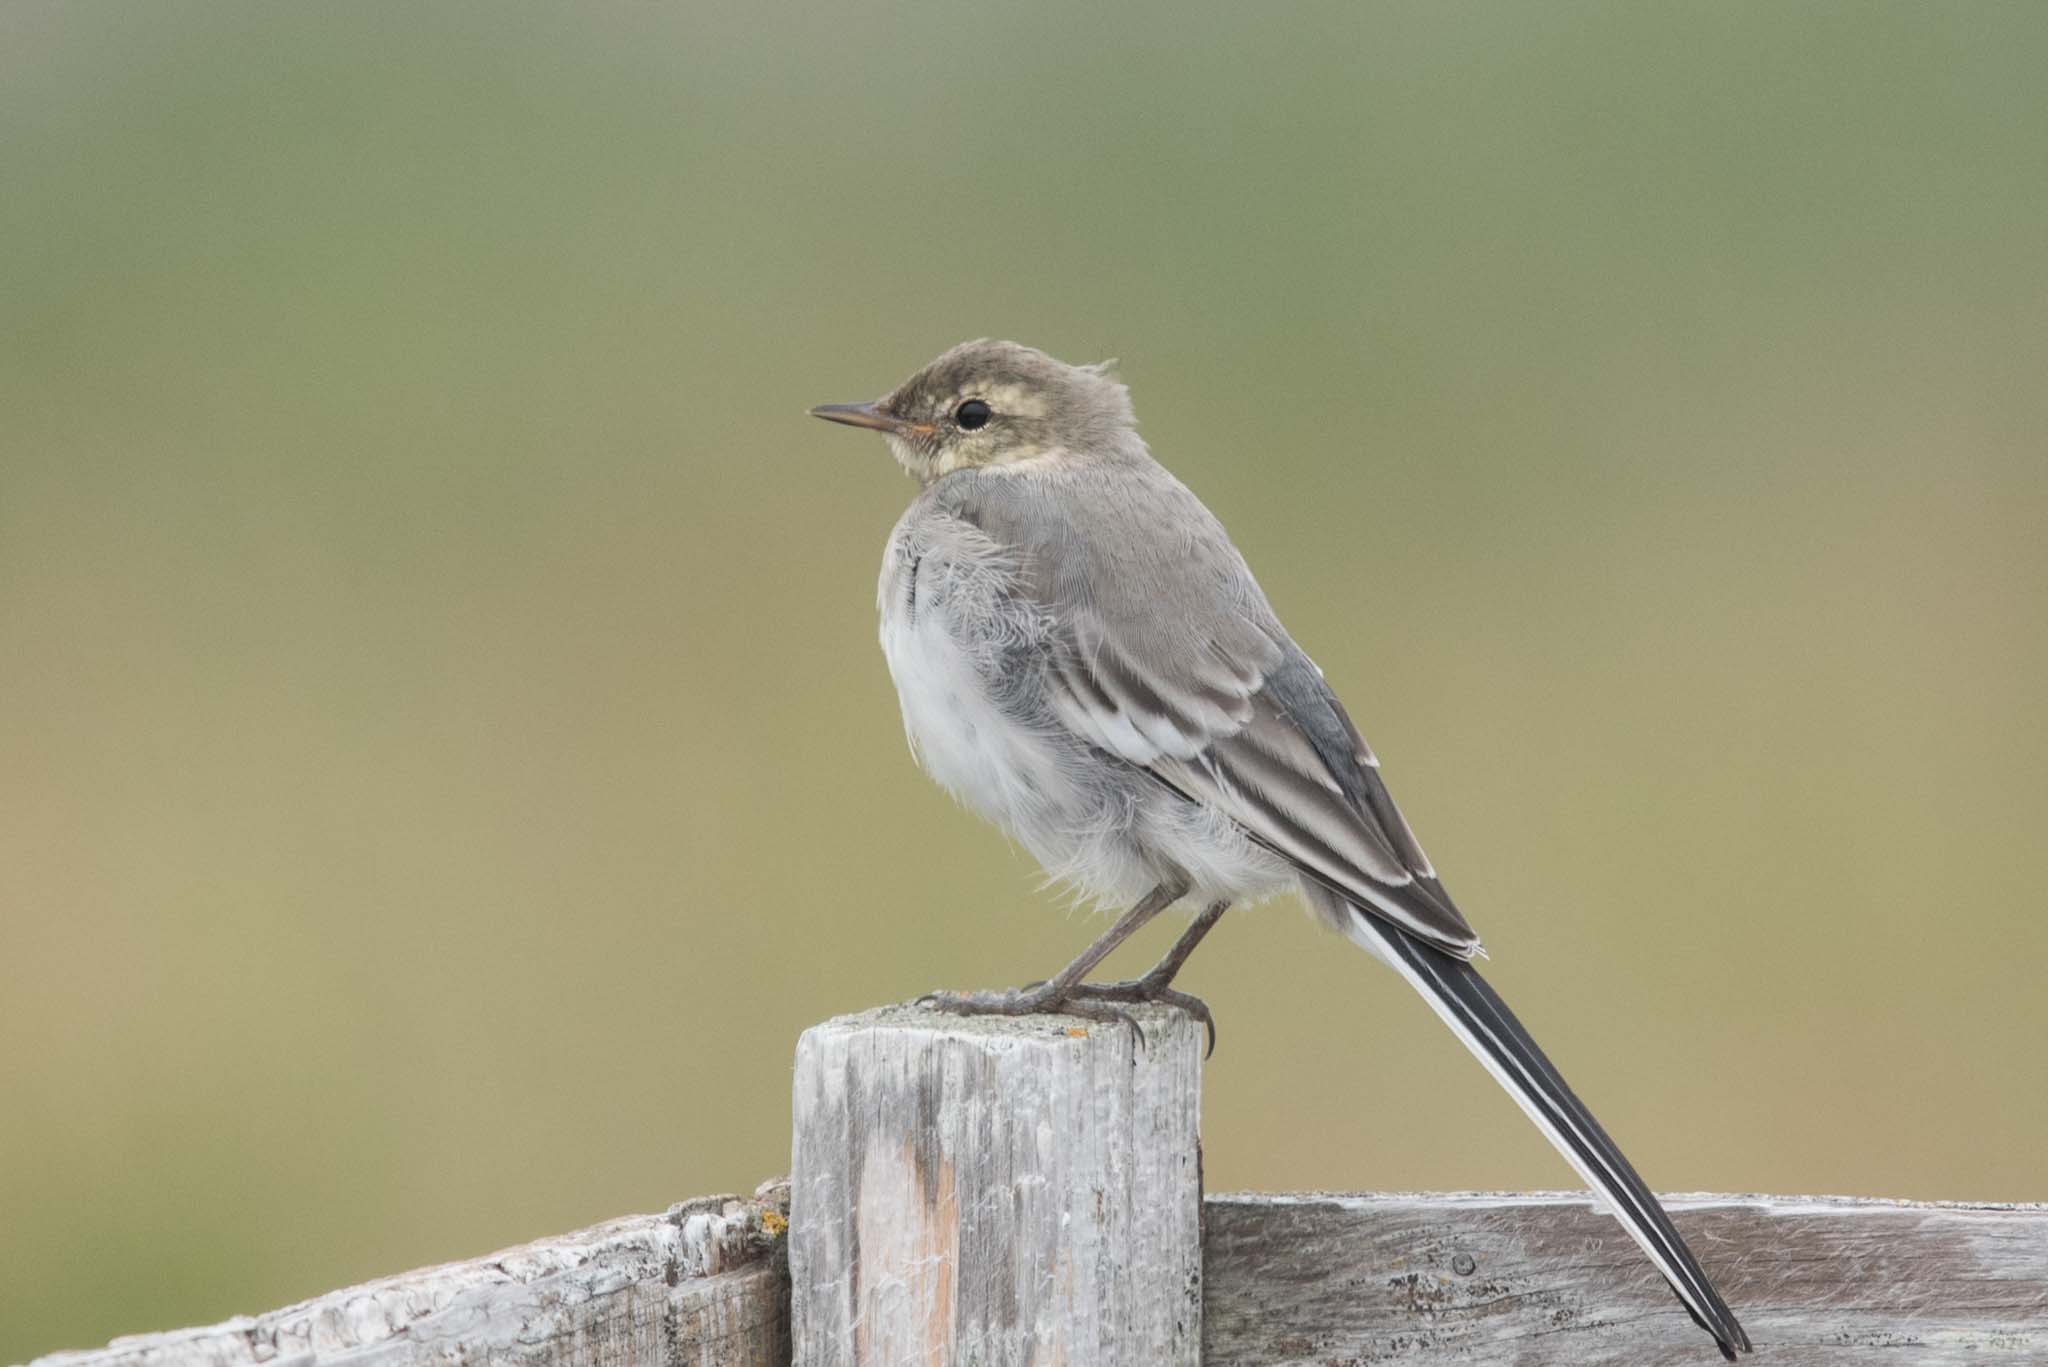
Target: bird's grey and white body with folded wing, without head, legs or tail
x=1109, y=620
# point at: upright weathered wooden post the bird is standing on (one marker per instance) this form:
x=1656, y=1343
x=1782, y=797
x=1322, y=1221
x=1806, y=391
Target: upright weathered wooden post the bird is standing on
x=990, y=1192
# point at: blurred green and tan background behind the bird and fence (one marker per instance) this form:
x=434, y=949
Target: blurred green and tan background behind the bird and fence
x=443, y=743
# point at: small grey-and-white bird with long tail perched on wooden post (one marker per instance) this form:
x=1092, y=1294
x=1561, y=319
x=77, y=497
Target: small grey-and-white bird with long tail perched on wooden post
x=1084, y=659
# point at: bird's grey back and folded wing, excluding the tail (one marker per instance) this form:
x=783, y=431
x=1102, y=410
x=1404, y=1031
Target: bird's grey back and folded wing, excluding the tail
x=1166, y=655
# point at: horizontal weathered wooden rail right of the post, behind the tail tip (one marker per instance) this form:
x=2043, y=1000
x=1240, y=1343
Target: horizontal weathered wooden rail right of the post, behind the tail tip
x=1551, y=1280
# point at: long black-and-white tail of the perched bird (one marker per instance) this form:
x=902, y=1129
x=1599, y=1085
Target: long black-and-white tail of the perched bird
x=1498, y=1040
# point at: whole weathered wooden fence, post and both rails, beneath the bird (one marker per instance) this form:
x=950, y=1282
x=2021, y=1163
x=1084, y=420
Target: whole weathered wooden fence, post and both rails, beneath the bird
x=1029, y=1192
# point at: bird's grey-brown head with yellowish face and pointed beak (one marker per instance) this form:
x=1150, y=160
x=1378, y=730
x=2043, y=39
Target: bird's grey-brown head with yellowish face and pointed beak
x=994, y=405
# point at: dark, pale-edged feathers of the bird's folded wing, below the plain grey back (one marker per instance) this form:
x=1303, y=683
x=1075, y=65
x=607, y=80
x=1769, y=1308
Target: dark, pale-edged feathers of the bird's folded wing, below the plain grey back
x=1242, y=720
